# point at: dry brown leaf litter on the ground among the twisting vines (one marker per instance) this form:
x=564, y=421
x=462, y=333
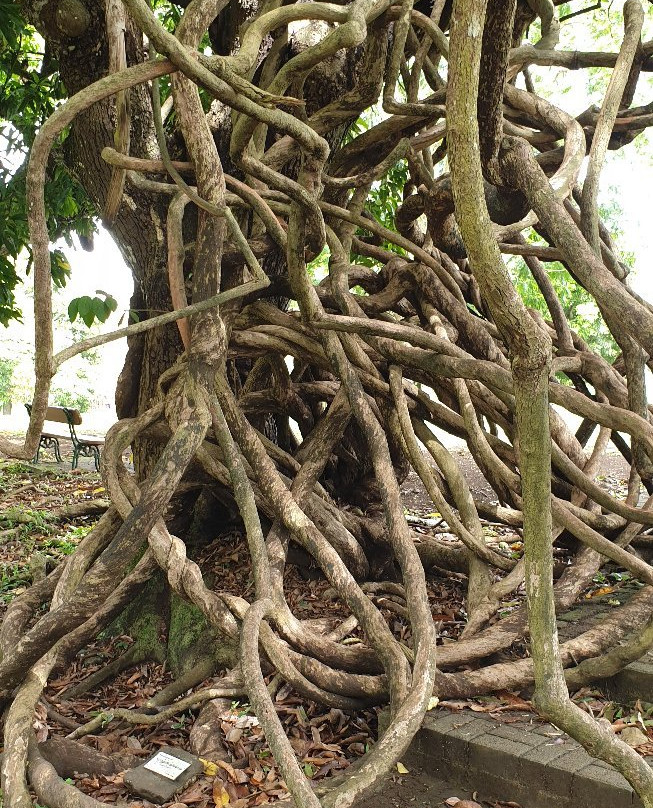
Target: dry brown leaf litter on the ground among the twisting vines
x=326, y=741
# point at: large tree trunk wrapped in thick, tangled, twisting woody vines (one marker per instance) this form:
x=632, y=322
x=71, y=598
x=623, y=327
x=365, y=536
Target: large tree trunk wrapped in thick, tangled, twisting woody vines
x=220, y=198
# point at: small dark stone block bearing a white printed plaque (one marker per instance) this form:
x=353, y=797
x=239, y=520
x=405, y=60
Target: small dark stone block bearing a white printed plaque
x=163, y=775
